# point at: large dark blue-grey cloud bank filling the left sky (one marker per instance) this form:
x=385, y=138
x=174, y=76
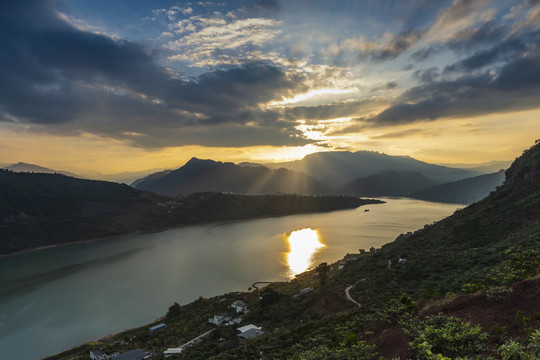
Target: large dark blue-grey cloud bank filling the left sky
x=54, y=73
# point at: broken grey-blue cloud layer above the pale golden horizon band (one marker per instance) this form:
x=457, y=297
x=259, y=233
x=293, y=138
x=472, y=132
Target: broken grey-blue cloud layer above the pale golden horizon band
x=235, y=75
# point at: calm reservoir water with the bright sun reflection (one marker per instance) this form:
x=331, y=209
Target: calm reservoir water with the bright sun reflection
x=56, y=298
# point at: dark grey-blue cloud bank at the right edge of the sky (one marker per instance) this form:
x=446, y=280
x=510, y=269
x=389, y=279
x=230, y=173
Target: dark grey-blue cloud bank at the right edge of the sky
x=515, y=87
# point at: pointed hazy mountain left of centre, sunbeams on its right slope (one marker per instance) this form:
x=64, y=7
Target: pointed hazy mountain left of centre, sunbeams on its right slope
x=207, y=175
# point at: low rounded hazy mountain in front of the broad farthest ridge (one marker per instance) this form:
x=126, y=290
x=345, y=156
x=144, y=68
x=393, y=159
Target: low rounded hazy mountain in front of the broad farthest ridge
x=389, y=183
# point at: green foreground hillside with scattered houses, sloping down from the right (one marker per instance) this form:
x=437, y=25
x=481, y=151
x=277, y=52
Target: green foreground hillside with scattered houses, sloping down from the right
x=464, y=287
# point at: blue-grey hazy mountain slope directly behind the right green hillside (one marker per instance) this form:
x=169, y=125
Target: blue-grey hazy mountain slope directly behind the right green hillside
x=466, y=191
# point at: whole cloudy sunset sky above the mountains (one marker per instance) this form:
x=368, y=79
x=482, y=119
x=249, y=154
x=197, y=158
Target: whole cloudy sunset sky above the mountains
x=131, y=84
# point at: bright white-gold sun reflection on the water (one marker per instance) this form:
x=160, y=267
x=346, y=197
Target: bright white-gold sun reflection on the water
x=303, y=244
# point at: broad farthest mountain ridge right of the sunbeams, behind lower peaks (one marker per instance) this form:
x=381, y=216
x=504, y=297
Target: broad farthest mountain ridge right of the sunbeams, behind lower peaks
x=336, y=168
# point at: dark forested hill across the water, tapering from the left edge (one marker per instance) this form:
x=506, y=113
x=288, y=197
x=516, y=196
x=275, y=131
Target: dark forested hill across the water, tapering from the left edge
x=48, y=209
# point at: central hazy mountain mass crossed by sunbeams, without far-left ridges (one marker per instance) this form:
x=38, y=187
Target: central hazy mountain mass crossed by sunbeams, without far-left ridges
x=361, y=173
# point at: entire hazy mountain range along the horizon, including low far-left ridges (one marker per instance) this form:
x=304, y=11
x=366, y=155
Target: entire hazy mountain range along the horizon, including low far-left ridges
x=361, y=173
